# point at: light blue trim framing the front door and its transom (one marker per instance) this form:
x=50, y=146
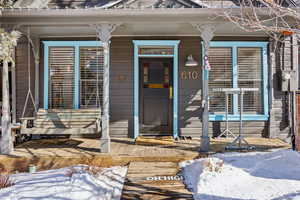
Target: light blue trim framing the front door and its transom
x=137, y=44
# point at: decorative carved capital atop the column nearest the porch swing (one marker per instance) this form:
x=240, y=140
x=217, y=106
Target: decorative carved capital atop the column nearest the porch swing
x=104, y=30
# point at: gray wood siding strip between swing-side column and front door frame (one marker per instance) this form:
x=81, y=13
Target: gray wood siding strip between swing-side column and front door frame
x=121, y=87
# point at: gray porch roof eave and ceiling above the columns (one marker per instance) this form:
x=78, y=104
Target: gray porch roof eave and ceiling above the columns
x=139, y=22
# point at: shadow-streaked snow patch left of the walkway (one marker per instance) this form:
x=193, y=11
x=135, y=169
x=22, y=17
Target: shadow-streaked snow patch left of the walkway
x=56, y=184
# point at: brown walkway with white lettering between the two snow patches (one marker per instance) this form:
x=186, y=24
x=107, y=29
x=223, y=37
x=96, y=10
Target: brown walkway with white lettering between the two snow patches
x=154, y=180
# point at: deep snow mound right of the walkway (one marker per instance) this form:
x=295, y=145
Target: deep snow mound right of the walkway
x=257, y=176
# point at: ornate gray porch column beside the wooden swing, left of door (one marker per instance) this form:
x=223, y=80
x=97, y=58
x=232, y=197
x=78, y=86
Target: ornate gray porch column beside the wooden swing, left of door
x=104, y=32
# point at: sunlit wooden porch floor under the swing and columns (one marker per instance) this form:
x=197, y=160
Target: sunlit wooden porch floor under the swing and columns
x=57, y=153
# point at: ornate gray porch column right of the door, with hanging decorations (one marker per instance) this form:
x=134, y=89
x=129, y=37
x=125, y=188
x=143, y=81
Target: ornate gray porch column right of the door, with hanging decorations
x=207, y=33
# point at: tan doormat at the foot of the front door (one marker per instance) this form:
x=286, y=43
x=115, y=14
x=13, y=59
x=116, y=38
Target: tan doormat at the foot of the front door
x=163, y=140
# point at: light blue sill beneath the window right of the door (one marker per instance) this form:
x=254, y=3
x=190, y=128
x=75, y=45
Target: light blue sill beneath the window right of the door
x=246, y=117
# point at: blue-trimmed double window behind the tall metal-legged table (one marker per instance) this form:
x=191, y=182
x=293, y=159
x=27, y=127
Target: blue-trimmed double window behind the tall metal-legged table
x=238, y=65
